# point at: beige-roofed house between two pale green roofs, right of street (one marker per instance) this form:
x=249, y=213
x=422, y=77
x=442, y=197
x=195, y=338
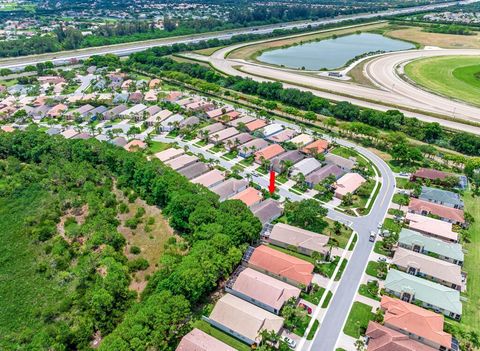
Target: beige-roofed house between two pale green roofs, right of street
x=427, y=267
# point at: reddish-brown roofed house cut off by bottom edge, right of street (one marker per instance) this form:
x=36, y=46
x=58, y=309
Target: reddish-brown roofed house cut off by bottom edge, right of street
x=380, y=338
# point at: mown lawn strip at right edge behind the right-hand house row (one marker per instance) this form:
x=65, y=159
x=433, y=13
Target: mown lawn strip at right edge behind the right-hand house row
x=471, y=312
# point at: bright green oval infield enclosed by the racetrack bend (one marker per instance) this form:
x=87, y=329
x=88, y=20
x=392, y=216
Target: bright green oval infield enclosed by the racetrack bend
x=452, y=76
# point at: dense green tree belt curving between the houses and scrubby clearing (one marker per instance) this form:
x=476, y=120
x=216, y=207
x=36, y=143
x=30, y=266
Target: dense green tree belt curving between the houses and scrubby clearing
x=216, y=234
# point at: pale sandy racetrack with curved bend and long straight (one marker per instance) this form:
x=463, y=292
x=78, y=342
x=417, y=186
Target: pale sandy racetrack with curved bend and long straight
x=392, y=91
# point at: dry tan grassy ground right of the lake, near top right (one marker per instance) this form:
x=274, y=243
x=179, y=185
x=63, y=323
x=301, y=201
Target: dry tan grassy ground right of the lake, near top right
x=449, y=41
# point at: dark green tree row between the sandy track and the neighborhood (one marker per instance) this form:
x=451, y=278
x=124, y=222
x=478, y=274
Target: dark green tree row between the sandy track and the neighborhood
x=153, y=61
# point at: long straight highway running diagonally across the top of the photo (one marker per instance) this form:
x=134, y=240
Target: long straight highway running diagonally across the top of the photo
x=127, y=49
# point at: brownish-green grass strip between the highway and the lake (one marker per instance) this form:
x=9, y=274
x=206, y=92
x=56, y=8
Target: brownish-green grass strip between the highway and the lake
x=251, y=51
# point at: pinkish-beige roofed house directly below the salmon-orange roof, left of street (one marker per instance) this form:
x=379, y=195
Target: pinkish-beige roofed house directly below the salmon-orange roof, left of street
x=260, y=289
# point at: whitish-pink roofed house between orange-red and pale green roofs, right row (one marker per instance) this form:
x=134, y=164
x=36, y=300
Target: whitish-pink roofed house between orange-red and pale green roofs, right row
x=431, y=227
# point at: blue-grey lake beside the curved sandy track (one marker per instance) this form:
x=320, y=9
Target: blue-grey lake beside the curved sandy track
x=332, y=53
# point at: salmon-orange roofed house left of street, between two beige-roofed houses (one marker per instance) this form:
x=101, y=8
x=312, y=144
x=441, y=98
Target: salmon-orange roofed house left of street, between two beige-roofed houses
x=284, y=267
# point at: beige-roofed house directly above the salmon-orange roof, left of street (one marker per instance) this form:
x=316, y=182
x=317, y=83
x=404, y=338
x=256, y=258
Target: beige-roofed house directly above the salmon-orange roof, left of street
x=305, y=241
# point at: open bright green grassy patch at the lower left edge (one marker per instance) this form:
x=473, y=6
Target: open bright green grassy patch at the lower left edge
x=27, y=295
